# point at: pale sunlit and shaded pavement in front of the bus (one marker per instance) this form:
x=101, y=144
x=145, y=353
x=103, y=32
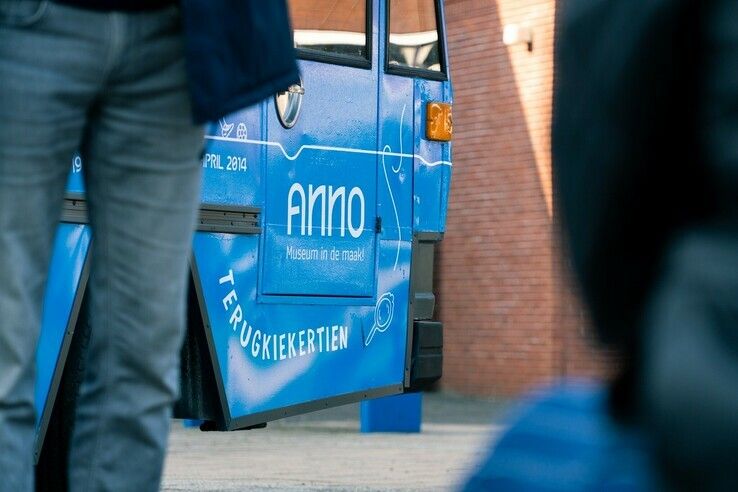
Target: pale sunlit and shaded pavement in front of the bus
x=325, y=451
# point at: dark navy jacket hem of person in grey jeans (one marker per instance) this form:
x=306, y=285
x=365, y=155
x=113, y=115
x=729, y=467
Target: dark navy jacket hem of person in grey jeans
x=238, y=53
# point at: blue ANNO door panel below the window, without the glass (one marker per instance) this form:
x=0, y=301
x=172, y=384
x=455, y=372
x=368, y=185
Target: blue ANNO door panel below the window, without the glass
x=321, y=182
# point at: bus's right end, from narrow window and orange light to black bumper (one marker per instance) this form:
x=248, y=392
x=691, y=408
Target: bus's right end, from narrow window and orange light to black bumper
x=415, y=129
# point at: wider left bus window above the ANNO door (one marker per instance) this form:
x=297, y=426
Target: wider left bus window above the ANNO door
x=330, y=27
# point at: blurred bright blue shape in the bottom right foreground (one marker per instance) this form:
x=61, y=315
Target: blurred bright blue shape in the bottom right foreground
x=563, y=439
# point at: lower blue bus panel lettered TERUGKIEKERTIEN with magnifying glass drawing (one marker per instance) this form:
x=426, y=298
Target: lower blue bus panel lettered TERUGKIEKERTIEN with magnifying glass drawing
x=274, y=356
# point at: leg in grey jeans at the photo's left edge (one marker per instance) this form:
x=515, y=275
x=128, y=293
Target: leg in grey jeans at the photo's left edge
x=45, y=85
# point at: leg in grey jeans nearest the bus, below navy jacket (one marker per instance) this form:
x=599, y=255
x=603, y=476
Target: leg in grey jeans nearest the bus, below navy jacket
x=143, y=177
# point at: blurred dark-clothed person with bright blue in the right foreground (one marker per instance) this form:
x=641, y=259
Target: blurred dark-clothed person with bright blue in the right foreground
x=645, y=148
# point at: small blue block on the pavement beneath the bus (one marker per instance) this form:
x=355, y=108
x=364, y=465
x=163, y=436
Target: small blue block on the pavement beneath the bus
x=399, y=413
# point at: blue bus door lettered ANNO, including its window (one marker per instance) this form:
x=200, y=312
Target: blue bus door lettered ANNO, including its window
x=321, y=181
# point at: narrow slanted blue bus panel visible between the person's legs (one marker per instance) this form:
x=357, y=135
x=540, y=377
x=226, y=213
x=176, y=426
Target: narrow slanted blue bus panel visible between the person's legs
x=70, y=252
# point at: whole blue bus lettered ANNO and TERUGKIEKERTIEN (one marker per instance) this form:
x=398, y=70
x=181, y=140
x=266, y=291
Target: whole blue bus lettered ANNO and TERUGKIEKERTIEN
x=312, y=265
